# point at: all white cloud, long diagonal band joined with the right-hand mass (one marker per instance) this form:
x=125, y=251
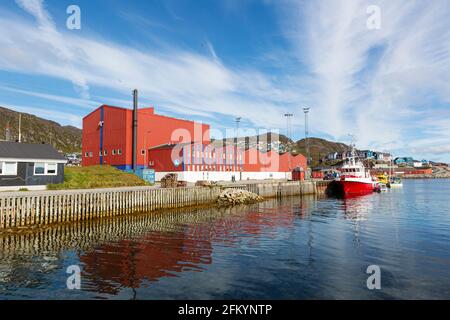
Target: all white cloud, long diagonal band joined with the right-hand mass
x=381, y=85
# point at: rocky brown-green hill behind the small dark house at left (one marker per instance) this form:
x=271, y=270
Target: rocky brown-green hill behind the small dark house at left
x=38, y=130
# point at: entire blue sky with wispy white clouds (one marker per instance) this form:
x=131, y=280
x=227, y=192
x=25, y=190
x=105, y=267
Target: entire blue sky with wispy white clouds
x=378, y=70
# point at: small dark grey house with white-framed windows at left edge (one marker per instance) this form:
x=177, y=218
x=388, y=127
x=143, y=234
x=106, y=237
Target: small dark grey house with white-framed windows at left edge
x=30, y=166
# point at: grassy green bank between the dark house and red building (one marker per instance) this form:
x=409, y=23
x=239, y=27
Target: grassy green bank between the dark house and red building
x=96, y=177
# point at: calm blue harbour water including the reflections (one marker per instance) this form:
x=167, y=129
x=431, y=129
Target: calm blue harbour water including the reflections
x=295, y=248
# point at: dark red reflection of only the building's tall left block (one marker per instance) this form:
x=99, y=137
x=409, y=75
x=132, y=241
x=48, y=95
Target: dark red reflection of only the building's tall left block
x=155, y=256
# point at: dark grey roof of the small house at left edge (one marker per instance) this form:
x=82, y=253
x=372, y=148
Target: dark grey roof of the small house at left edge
x=15, y=150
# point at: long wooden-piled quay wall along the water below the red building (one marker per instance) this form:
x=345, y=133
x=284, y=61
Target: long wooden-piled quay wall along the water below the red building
x=40, y=208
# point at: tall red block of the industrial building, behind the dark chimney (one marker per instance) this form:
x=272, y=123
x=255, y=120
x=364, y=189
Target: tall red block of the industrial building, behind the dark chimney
x=108, y=135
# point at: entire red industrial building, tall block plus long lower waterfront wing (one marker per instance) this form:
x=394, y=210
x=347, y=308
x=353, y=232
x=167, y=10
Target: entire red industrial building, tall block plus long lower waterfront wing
x=168, y=144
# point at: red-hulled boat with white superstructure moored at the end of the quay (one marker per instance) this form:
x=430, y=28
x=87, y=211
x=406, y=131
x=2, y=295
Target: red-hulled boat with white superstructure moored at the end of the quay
x=355, y=178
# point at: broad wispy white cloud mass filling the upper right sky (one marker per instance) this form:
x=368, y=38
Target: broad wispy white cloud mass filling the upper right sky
x=373, y=83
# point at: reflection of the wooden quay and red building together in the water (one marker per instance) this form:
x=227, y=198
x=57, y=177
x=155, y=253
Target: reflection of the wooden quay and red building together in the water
x=126, y=251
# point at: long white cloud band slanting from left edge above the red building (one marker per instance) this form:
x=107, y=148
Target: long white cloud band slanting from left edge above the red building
x=196, y=83
